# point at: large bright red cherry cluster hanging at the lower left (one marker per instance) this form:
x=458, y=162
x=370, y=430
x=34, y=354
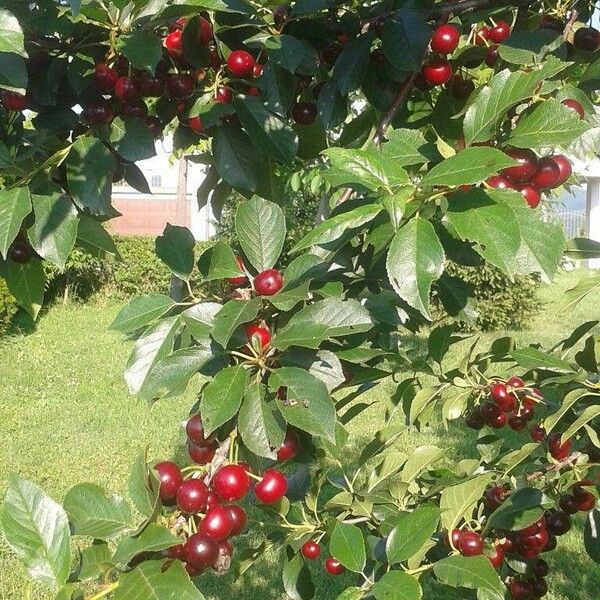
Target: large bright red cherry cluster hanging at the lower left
x=215, y=516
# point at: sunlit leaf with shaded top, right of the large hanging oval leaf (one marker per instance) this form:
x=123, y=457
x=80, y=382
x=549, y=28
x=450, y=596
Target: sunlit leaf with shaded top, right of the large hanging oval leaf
x=490, y=224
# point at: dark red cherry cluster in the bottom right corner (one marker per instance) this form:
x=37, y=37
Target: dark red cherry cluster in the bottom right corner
x=526, y=544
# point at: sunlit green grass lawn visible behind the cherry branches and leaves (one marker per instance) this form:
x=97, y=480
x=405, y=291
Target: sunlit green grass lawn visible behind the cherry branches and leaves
x=67, y=418
